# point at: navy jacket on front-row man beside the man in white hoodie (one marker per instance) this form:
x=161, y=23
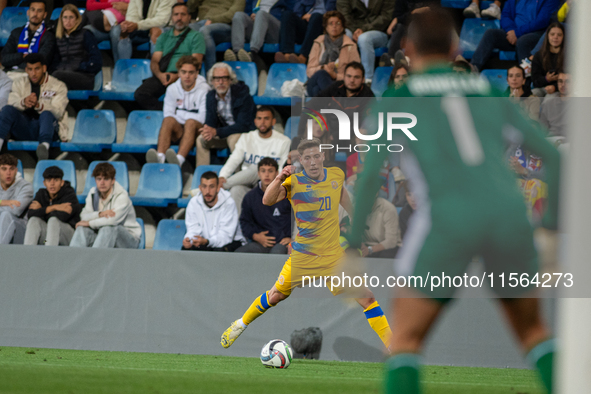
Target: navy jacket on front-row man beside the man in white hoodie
x=256, y=217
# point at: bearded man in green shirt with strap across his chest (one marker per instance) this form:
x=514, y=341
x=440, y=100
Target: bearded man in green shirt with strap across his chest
x=170, y=47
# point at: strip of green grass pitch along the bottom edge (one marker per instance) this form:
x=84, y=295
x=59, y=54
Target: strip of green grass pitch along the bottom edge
x=48, y=371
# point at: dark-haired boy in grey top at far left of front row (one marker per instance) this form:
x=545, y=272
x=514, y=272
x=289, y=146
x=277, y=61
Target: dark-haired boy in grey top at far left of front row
x=15, y=196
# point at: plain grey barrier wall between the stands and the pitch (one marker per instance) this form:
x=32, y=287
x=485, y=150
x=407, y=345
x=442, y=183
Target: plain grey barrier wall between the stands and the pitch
x=181, y=302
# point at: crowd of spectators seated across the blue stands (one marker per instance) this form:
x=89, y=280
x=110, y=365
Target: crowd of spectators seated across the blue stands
x=206, y=107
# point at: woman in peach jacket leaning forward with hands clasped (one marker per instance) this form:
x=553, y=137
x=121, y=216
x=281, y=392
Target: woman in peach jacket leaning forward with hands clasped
x=330, y=54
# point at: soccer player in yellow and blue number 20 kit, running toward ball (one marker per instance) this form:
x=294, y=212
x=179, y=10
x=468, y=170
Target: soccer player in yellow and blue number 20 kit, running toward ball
x=315, y=195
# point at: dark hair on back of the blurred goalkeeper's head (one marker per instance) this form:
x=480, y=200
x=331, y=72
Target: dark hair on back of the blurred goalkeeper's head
x=431, y=32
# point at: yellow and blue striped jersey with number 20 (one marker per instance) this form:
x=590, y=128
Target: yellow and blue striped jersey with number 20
x=316, y=208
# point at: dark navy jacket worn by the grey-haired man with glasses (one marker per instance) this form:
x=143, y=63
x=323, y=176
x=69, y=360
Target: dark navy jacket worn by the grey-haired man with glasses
x=243, y=111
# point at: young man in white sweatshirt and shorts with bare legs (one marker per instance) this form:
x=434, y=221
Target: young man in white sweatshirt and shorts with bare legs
x=184, y=113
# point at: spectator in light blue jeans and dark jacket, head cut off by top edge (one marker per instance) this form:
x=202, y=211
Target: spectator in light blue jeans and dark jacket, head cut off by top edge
x=368, y=25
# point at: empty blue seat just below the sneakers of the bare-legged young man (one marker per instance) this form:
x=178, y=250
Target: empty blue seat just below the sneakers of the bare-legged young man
x=159, y=185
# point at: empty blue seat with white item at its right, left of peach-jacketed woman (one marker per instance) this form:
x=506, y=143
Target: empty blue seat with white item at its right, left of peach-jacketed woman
x=279, y=73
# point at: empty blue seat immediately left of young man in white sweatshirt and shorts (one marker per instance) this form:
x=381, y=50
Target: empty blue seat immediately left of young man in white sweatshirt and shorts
x=141, y=132
